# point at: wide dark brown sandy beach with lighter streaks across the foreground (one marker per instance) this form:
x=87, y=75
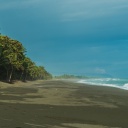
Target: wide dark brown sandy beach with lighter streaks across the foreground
x=62, y=104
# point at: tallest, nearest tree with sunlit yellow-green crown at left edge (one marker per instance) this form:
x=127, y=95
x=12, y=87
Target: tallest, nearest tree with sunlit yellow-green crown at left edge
x=12, y=52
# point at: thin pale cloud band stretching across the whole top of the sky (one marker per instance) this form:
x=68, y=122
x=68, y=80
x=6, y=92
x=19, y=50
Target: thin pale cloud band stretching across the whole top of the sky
x=70, y=10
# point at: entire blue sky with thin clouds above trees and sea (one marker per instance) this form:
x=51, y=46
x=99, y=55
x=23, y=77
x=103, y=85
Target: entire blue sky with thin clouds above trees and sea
x=80, y=37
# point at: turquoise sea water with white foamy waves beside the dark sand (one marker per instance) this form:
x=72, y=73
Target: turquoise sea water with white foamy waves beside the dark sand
x=111, y=82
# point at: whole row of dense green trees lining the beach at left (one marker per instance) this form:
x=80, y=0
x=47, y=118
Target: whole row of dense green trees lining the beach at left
x=15, y=65
